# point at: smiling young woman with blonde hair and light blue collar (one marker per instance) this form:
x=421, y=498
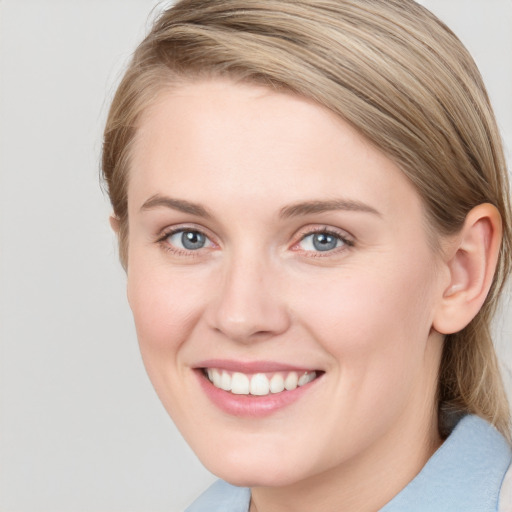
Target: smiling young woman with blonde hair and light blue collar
x=313, y=211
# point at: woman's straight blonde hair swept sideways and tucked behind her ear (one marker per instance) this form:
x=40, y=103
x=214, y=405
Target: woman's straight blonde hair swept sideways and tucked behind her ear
x=394, y=72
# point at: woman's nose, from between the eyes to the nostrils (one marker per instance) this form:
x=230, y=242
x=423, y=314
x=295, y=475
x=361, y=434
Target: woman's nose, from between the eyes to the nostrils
x=249, y=305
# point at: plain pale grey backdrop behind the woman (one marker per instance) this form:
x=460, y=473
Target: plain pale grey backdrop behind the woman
x=80, y=426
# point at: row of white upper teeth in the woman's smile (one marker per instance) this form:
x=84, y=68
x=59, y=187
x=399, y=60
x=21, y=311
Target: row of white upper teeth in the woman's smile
x=259, y=384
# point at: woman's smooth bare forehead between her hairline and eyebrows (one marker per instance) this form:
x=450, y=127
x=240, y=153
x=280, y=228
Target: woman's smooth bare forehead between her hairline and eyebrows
x=247, y=142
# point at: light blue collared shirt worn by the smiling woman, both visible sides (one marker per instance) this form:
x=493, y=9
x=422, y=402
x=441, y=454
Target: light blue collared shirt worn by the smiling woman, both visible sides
x=464, y=474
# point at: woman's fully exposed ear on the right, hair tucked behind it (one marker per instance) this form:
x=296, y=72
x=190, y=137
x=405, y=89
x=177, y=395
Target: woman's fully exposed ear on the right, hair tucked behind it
x=471, y=262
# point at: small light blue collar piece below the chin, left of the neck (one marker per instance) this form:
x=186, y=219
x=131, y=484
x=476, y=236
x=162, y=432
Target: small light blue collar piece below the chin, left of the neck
x=222, y=497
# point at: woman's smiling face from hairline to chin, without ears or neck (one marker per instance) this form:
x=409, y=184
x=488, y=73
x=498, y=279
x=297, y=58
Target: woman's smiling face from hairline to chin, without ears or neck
x=271, y=247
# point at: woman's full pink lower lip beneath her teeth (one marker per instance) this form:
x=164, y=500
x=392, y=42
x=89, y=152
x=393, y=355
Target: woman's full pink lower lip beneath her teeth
x=250, y=406
